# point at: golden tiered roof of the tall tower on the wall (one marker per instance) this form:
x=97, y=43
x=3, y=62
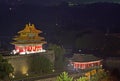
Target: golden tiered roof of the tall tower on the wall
x=29, y=35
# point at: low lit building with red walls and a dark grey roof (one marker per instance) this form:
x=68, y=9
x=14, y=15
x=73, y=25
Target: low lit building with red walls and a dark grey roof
x=83, y=61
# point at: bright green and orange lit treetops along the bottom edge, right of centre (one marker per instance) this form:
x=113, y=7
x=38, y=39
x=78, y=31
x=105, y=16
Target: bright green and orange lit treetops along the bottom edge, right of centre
x=100, y=75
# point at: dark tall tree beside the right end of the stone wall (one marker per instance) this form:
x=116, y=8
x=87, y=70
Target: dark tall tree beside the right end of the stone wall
x=59, y=55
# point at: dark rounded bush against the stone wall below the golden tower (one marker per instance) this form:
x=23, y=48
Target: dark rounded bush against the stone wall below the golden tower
x=41, y=64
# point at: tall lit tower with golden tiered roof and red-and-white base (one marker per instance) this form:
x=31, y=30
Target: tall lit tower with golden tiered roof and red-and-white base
x=28, y=41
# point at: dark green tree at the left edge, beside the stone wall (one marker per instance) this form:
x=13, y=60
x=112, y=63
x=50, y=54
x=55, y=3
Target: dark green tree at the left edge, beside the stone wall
x=5, y=68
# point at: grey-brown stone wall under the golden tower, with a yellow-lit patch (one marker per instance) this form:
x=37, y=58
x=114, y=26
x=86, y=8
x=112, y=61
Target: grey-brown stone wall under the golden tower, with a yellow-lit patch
x=20, y=62
